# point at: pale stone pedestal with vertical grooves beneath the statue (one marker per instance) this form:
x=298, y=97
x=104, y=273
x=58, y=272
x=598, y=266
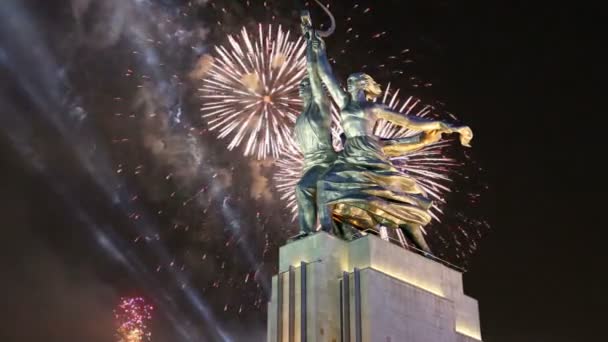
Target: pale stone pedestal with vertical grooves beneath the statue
x=366, y=290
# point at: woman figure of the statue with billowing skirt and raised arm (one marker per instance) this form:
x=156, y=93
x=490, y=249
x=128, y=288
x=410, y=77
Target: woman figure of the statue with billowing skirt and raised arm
x=362, y=188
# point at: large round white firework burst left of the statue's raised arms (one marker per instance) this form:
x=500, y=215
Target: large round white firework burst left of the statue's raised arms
x=250, y=92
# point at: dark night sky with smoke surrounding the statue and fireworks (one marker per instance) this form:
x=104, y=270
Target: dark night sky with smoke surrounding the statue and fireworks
x=521, y=75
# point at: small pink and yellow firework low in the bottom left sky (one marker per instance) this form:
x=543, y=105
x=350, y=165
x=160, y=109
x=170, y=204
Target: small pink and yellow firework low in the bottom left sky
x=132, y=316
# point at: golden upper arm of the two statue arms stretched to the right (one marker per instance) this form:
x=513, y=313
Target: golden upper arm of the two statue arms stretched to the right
x=466, y=134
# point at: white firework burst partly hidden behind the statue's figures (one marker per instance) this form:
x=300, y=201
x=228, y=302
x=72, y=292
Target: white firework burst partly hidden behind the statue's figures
x=430, y=166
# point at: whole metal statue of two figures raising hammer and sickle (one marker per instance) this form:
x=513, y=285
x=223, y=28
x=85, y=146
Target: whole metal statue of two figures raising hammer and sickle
x=358, y=187
